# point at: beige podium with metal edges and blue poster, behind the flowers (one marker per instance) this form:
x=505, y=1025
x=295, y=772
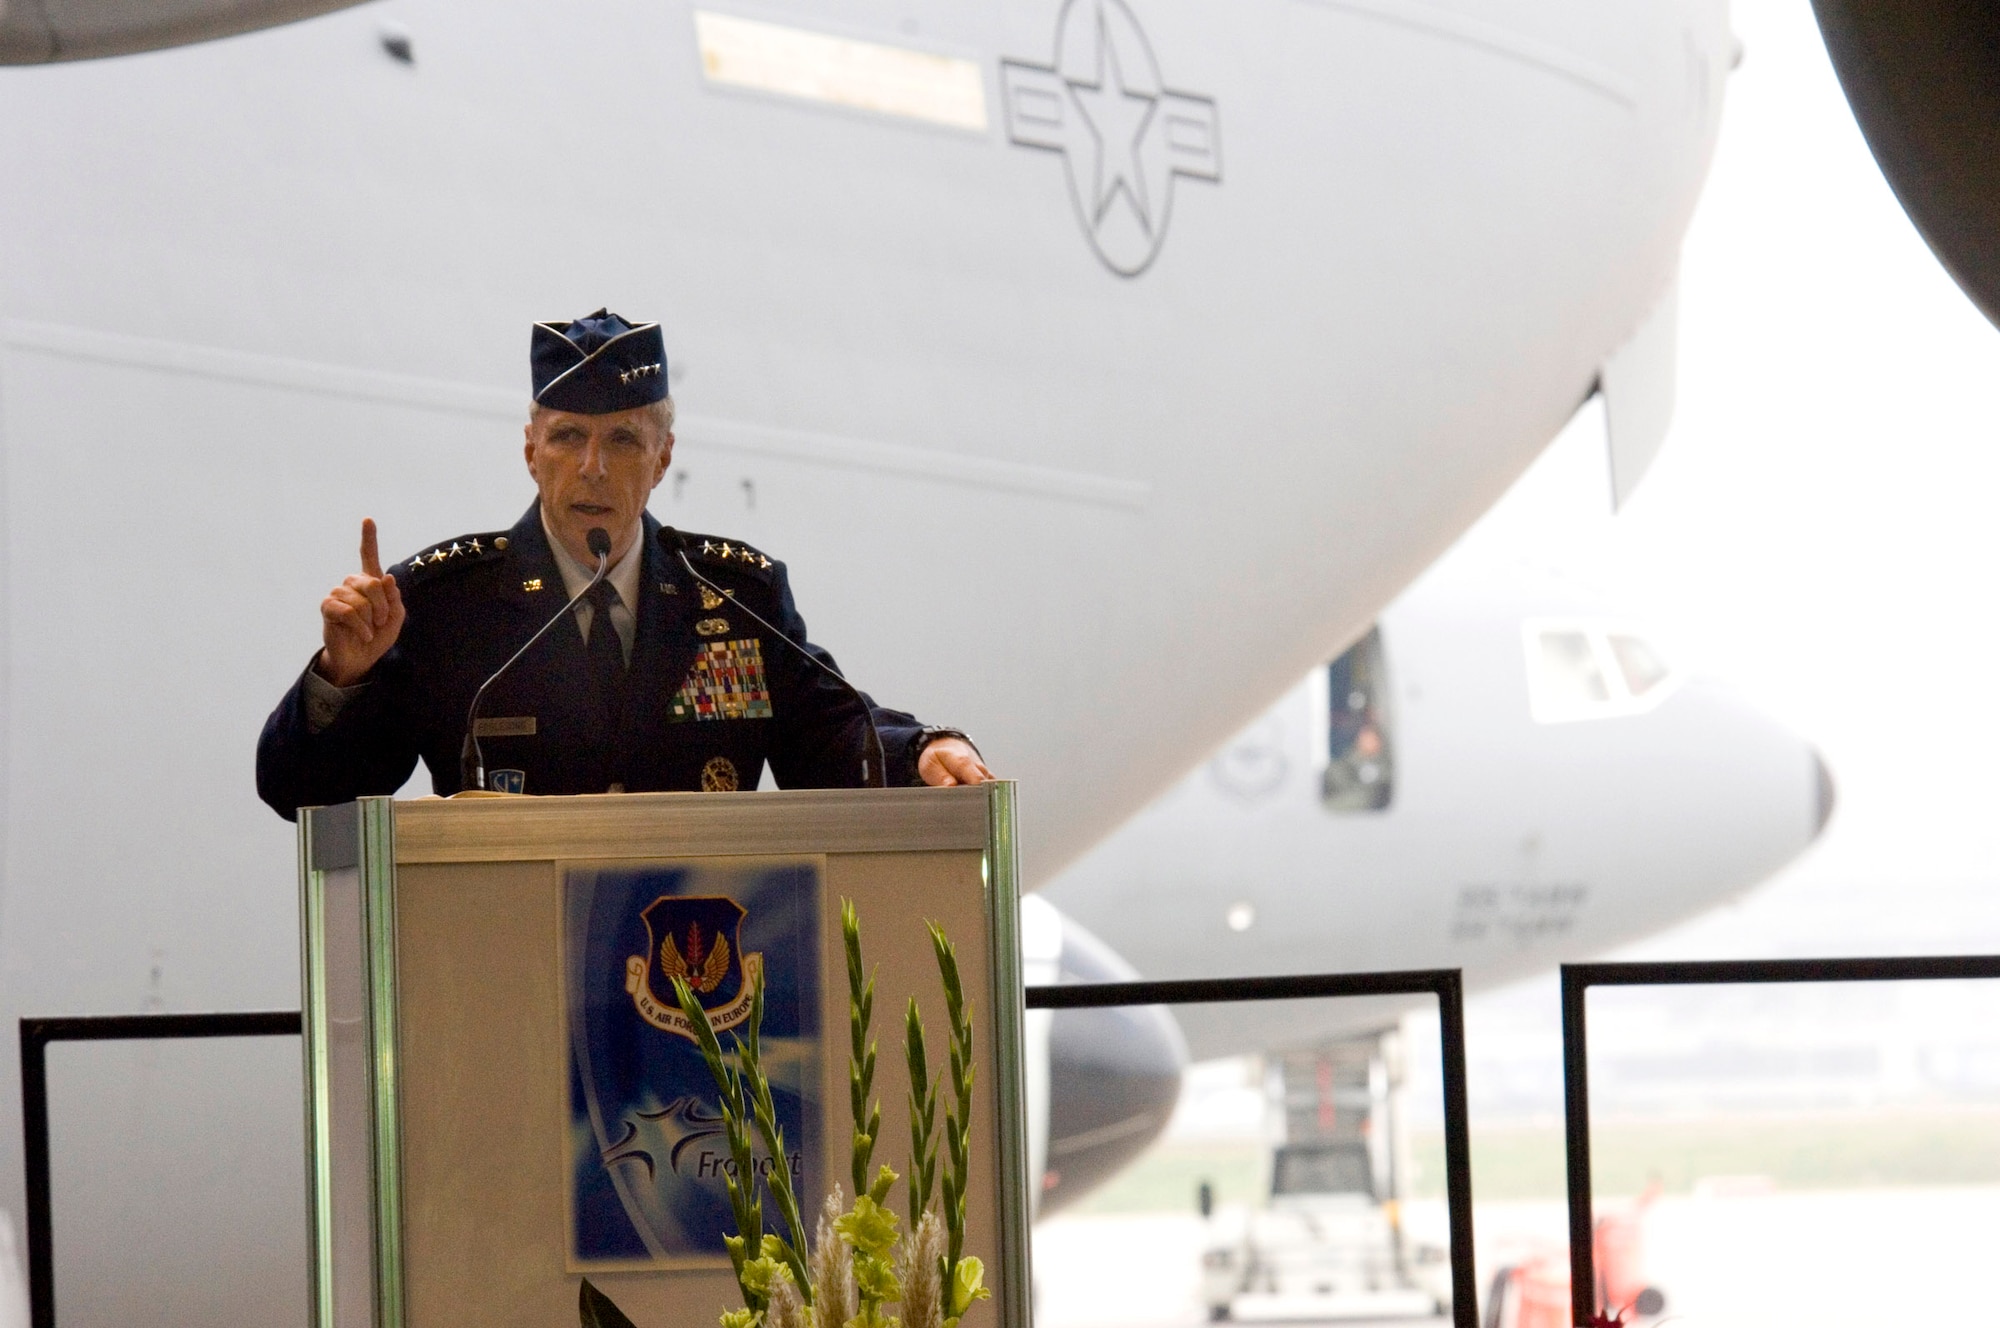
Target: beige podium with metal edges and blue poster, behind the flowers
x=497, y=1103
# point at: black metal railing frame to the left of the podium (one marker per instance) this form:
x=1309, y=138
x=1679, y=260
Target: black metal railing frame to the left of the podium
x=35, y=1039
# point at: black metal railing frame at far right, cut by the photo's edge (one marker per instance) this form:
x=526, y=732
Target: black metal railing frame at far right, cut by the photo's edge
x=1577, y=983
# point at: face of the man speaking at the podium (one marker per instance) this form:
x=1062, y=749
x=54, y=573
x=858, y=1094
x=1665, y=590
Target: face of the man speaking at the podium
x=597, y=471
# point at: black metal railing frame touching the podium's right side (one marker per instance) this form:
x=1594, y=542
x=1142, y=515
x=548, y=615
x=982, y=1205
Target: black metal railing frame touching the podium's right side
x=1441, y=983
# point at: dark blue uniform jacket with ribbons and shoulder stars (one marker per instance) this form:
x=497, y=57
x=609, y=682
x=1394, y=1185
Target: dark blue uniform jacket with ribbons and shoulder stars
x=707, y=701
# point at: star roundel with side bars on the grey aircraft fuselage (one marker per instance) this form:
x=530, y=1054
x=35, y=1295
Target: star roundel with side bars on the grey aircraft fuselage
x=1123, y=135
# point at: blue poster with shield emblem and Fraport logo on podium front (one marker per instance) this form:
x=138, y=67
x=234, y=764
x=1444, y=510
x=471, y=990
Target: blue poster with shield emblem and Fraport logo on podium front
x=647, y=1159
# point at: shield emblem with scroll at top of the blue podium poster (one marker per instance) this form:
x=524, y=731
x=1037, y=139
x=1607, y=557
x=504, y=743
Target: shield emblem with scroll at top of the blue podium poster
x=693, y=939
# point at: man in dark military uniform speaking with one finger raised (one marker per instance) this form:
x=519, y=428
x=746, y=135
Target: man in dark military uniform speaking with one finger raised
x=657, y=683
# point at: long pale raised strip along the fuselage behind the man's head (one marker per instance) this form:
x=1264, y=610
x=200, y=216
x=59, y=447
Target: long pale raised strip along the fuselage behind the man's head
x=701, y=433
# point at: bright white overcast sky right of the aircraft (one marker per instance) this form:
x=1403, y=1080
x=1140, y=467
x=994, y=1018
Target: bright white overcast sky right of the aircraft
x=1821, y=523
